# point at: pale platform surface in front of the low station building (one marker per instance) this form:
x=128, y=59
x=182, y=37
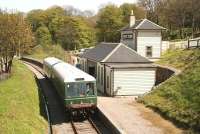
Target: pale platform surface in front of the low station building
x=132, y=118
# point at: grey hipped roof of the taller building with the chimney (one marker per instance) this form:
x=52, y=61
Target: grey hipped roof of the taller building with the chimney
x=144, y=24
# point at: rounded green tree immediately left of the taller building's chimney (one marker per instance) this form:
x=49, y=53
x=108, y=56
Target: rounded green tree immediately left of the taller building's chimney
x=109, y=23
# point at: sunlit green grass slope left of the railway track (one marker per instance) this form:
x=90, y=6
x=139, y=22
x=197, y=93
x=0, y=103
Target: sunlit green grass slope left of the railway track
x=19, y=103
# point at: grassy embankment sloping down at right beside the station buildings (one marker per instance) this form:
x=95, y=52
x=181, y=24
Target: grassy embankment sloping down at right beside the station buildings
x=178, y=98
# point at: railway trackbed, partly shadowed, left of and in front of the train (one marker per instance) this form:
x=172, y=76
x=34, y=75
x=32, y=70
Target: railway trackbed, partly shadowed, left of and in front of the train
x=58, y=121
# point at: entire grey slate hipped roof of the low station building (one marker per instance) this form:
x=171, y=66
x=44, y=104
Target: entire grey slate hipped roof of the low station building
x=114, y=53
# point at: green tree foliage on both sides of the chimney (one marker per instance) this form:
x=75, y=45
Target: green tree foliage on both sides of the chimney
x=110, y=19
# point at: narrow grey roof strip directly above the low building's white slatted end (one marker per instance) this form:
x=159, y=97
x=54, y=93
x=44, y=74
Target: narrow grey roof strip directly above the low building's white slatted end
x=130, y=65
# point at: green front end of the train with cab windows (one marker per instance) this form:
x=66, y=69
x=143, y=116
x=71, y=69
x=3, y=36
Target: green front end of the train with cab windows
x=81, y=96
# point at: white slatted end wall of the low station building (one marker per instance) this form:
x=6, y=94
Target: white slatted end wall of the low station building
x=133, y=81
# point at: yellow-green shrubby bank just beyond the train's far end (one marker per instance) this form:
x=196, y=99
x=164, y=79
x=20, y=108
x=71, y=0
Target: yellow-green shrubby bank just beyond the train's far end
x=41, y=52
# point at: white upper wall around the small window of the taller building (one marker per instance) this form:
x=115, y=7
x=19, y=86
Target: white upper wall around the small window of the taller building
x=149, y=38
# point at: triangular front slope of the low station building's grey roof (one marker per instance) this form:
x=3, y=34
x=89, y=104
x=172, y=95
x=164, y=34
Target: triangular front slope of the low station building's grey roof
x=124, y=54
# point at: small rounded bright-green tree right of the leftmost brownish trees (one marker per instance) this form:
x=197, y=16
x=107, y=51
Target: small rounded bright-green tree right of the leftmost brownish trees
x=43, y=36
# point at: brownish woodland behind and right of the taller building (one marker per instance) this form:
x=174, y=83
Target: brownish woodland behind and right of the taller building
x=181, y=18
